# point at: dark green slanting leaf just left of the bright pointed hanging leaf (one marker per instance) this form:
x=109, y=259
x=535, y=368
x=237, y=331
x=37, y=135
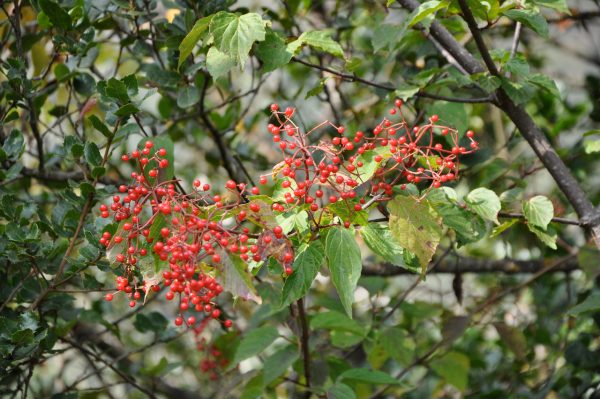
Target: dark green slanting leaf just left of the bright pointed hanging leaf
x=309, y=259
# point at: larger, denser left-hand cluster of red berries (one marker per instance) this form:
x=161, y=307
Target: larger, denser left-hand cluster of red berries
x=159, y=223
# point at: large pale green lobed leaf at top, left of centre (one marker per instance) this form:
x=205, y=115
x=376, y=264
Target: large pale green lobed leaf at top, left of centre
x=234, y=34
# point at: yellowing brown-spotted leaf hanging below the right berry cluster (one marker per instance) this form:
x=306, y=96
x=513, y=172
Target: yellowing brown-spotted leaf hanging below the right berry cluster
x=416, y=227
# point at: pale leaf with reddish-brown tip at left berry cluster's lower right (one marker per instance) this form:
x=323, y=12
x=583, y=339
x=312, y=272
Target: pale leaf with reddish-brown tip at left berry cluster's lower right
x=236, y=280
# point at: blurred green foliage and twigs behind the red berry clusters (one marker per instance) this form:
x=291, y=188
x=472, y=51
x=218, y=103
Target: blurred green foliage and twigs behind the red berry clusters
x=514, y=314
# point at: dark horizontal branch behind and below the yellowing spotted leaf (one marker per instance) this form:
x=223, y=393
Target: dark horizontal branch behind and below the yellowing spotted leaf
x=452, y=264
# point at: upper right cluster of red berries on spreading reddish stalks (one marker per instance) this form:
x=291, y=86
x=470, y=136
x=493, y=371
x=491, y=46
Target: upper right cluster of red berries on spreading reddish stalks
x=393, y=154
